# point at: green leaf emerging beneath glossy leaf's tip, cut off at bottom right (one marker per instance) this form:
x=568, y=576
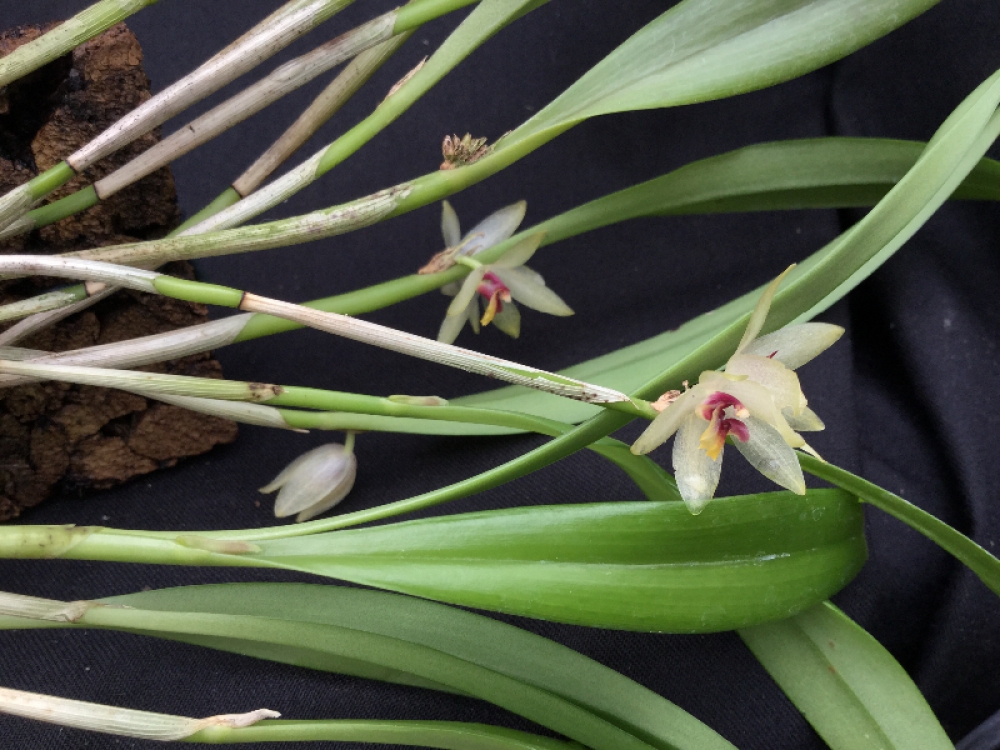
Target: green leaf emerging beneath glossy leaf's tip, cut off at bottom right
x=852, y=691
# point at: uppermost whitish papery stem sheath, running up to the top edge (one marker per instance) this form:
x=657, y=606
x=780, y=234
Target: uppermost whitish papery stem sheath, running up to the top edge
x=267, y=38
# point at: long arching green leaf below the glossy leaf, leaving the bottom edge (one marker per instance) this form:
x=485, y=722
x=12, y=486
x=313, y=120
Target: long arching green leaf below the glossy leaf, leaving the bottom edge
x=334, y=628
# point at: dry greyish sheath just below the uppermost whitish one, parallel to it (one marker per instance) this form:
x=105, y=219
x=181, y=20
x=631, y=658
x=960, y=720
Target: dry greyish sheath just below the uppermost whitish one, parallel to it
x=287, y=78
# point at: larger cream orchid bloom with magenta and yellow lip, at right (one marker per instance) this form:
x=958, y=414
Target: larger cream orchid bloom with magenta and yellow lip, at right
x=757, y=402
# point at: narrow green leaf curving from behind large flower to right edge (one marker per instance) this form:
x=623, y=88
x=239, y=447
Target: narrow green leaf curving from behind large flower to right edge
x=978, y=560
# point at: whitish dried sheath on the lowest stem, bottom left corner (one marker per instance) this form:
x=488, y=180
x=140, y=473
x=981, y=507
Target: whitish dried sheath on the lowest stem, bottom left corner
x=120, y=721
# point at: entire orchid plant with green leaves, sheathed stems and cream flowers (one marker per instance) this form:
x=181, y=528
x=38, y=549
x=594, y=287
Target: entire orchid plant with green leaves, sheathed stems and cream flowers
x=761, y=564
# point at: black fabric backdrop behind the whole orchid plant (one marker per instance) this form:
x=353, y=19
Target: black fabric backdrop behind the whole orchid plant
x=909, y=395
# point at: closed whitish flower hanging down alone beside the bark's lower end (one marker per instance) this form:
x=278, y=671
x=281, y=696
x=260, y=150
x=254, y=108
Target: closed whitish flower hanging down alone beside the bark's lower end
x=315, y=481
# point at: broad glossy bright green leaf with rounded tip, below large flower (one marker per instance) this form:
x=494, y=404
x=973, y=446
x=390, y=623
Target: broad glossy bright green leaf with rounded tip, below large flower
x=648, y=566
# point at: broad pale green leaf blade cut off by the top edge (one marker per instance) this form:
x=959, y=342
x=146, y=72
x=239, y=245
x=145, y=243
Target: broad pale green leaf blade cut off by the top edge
x=701, y=50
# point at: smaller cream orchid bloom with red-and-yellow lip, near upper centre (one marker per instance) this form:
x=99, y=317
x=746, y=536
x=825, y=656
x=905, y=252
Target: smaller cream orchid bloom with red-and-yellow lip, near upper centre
x=497, y=284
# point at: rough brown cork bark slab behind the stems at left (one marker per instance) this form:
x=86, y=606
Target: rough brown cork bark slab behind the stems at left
x=54, y=434
